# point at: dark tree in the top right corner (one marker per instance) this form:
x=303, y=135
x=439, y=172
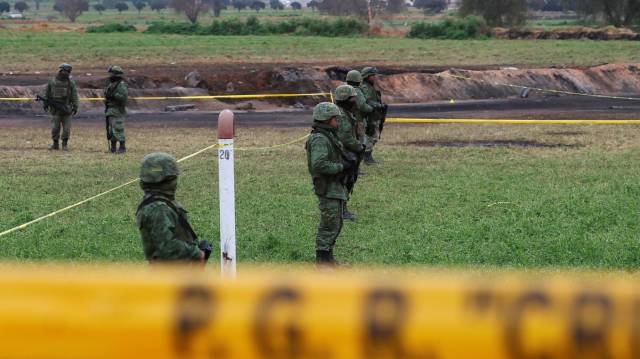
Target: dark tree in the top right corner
x=615, y=12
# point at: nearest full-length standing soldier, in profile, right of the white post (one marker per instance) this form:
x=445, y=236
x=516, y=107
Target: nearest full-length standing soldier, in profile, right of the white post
x=326, y=165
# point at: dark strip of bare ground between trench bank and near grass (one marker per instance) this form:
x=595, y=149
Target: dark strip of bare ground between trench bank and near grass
x=569, y=107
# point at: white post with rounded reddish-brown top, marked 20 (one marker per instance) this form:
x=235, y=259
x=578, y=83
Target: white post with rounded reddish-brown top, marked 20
x=226, y=182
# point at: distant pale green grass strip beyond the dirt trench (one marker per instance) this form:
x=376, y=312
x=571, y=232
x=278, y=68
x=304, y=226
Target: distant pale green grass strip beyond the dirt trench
x=31, y=51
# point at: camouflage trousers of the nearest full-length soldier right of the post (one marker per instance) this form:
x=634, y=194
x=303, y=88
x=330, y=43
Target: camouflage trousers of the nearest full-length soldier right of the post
x=330, y=223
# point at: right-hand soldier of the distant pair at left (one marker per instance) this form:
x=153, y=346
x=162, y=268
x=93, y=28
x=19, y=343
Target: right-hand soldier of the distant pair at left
x=116, y=94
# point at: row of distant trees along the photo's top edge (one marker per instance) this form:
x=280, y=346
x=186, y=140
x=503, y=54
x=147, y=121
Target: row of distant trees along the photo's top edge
x=495, y=12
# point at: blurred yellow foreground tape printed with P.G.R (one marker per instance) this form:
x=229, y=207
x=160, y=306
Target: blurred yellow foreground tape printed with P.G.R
x=106, y=313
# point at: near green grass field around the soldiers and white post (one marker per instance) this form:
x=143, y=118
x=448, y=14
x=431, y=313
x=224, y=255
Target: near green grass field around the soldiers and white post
x=573, y=203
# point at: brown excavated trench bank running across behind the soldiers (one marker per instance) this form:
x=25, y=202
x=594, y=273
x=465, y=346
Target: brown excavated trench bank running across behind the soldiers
x=399, y=85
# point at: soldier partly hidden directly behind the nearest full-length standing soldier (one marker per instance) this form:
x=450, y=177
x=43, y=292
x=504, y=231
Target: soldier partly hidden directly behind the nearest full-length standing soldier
x=346, y=97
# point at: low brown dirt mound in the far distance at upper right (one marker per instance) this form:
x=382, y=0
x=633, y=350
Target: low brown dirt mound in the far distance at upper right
x=608, y=33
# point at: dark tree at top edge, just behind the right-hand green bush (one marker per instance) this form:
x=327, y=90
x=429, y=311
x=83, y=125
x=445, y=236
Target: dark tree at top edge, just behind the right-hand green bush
x=497, y=12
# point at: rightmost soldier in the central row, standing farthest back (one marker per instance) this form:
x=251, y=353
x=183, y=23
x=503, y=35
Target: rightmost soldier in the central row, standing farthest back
x=375, y=120
